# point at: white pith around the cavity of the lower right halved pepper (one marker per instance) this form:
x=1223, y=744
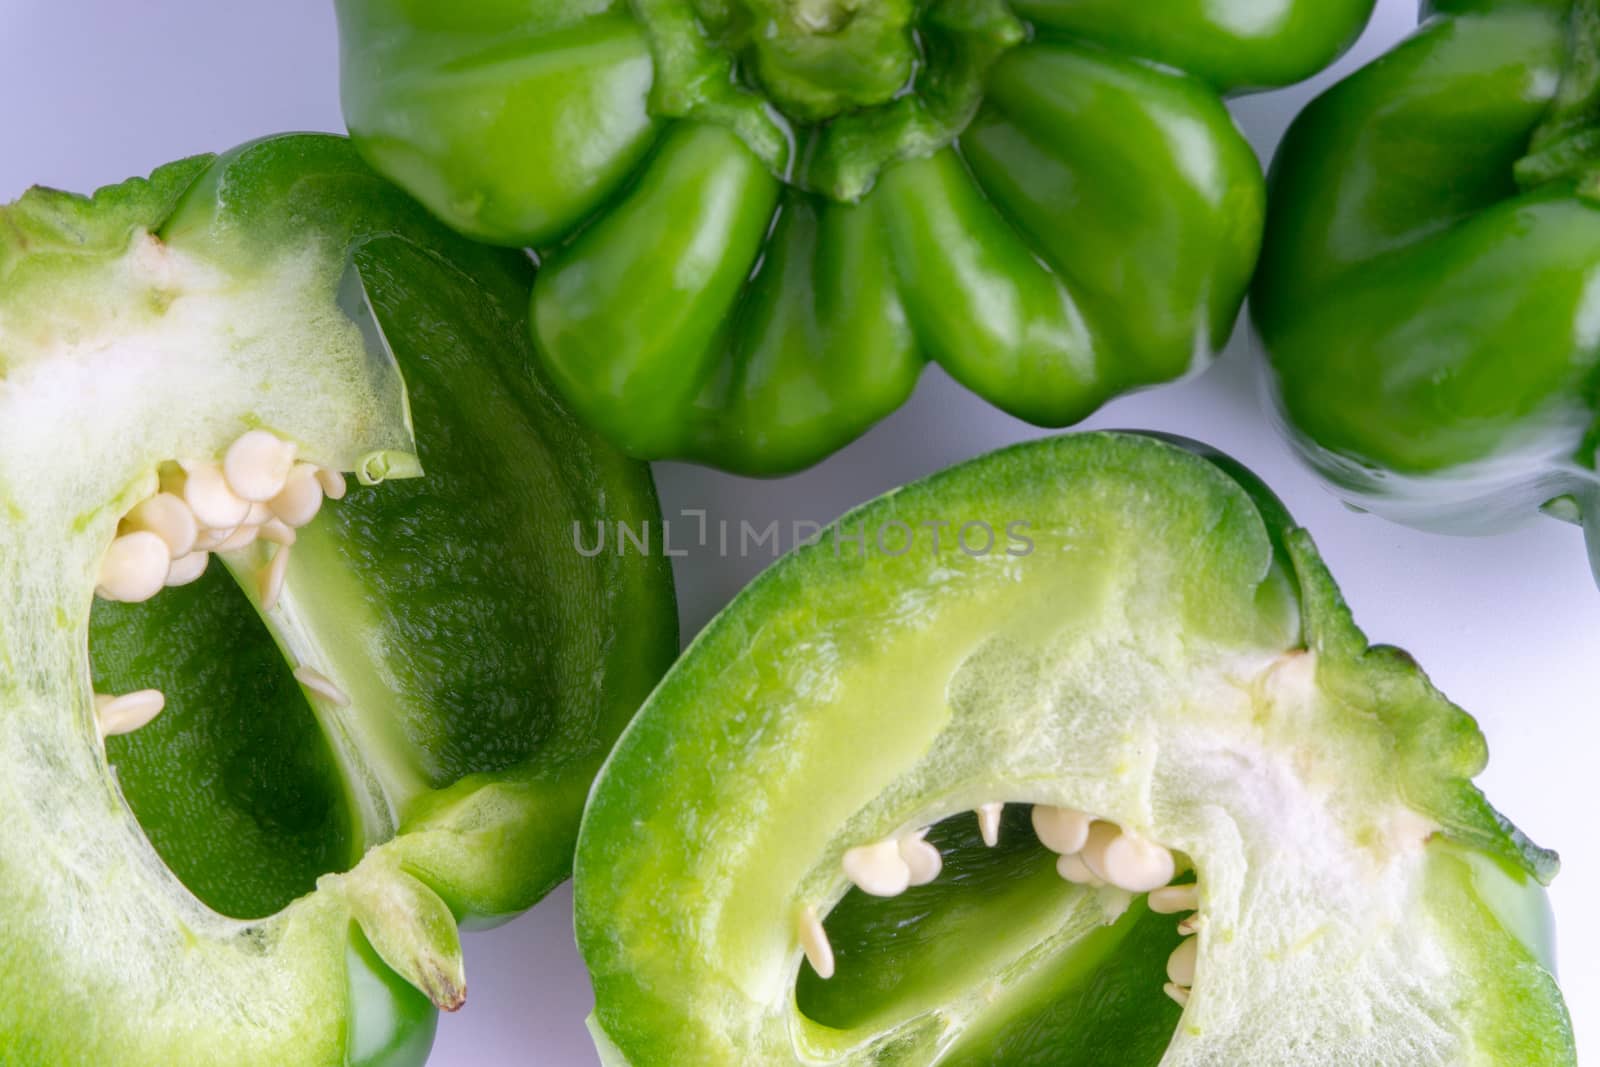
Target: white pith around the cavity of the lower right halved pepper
x=1313, y=871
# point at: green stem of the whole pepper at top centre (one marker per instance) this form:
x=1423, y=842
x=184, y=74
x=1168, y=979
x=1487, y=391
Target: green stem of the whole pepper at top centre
x=828, y=92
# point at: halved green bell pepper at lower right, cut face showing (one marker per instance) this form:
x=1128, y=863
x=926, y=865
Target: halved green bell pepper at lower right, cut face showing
x=1150, y=665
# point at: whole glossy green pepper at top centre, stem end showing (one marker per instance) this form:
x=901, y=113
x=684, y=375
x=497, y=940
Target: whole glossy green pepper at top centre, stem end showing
x=759, y=220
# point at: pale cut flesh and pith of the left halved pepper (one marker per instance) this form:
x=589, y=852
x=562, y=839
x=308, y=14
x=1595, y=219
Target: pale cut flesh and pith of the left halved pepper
x=151, y=358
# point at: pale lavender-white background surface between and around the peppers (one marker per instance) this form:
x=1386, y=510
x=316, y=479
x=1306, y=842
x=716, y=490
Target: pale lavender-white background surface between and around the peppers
x=1510, y=628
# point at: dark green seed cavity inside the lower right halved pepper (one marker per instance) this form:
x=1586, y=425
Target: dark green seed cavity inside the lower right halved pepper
x=945, y=911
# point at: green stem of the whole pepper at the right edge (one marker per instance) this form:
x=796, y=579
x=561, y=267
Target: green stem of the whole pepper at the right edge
x=1567, y=145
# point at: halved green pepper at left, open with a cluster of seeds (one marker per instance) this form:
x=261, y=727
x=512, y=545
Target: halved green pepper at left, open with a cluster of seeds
x=276, y=868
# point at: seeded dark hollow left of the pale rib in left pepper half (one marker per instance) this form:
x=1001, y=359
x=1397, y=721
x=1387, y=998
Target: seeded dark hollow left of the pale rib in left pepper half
x=247, y=754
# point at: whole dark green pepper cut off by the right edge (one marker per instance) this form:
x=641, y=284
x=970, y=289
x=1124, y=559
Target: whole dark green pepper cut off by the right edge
x=1426, y=292
